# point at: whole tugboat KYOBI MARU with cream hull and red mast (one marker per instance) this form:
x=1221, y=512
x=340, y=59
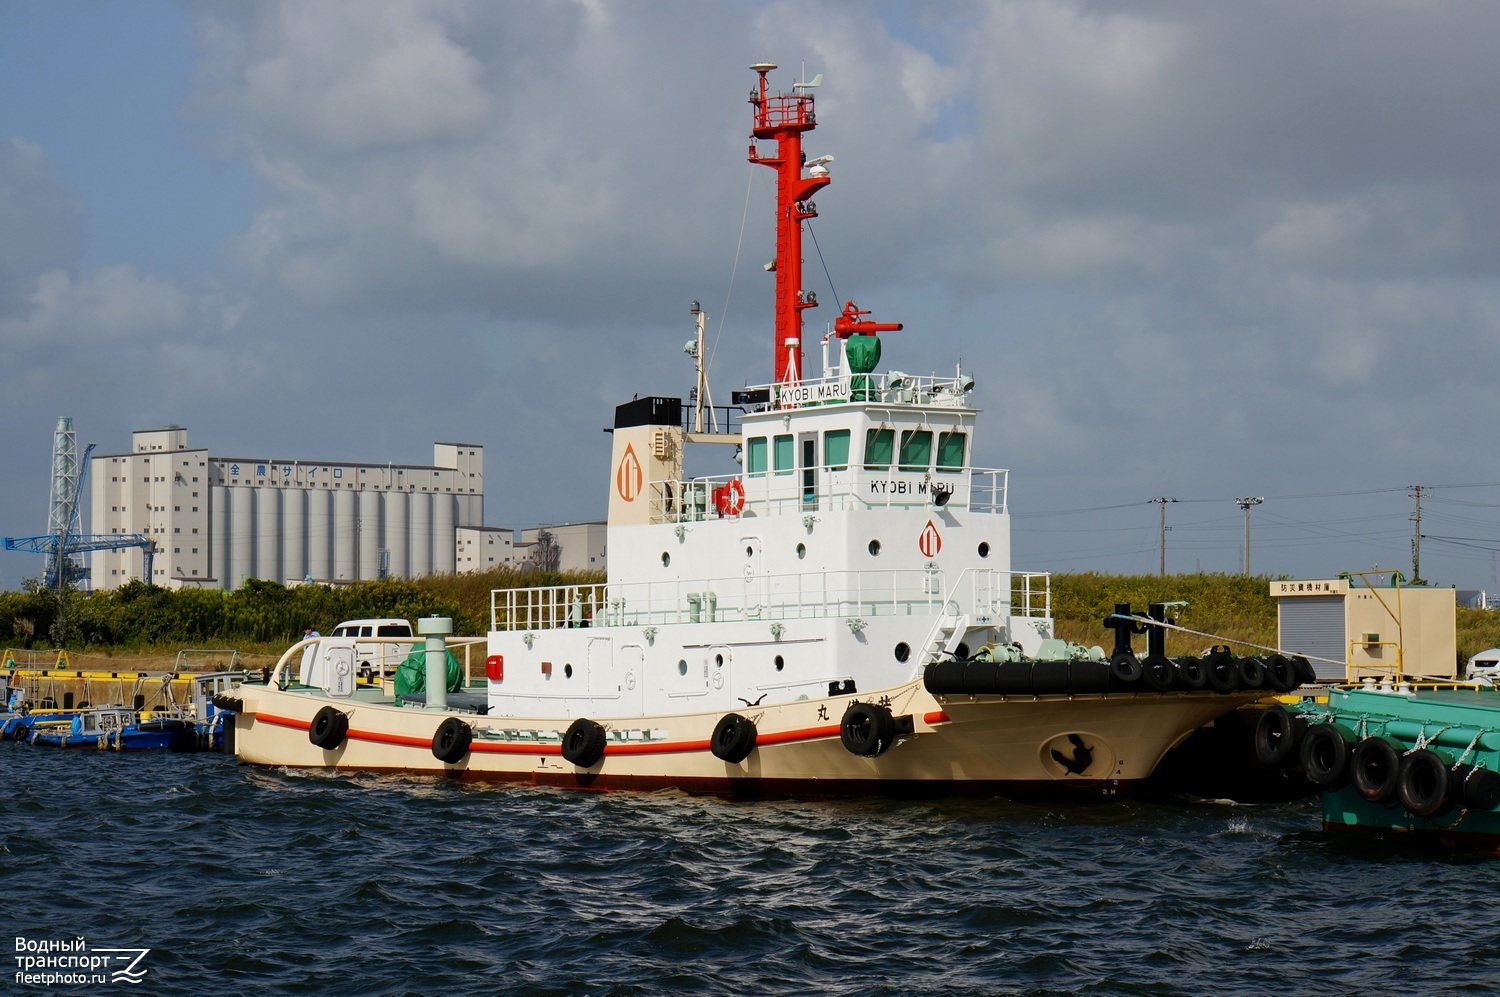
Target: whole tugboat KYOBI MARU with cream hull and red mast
x=833, y=615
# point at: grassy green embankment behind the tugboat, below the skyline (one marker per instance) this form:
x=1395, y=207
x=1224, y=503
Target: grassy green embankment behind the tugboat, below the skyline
x=262, y=618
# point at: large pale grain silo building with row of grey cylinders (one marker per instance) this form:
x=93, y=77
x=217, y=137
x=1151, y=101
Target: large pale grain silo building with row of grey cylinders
x=221, y=521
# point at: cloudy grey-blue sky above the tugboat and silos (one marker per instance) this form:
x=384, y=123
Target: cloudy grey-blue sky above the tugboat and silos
x=1190, y=251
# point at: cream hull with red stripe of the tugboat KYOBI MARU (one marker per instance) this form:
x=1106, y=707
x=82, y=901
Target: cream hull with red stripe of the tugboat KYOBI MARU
x=1051, y=746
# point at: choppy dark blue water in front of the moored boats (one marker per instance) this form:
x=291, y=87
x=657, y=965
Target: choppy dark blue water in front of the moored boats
x=254, y=881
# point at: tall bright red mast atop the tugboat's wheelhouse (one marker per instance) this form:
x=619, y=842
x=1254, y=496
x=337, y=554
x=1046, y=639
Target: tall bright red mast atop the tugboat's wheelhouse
x=784, y=119
